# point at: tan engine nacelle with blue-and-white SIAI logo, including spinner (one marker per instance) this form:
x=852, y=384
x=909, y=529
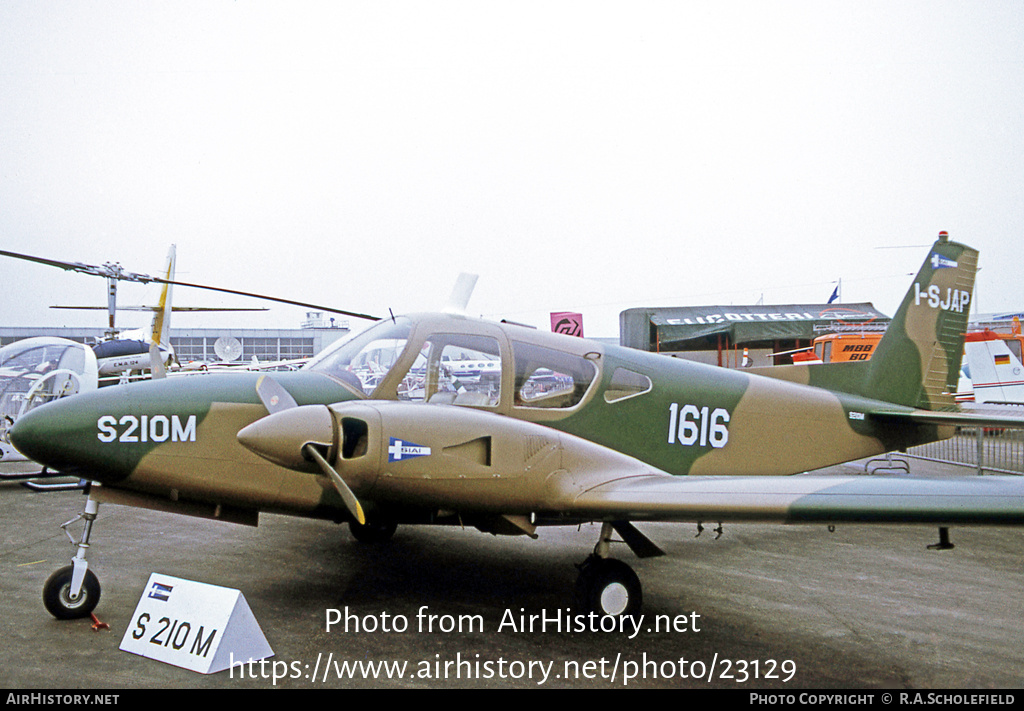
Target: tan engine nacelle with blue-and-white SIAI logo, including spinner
x=440, y=456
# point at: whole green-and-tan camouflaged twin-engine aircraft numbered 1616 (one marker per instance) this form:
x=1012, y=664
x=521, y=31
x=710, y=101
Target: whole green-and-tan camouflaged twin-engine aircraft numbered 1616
x=446, y=420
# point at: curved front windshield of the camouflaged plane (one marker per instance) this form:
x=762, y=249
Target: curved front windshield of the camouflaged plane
x=364, y=360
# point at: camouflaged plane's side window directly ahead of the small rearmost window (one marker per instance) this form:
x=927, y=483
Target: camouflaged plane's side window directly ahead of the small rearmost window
x=548, y=379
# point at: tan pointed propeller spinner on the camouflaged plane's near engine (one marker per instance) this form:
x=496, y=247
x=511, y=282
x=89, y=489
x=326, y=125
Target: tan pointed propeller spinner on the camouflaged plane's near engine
x=281, y=438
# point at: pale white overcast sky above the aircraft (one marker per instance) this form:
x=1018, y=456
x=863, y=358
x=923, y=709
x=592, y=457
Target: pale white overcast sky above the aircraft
x=578, y=156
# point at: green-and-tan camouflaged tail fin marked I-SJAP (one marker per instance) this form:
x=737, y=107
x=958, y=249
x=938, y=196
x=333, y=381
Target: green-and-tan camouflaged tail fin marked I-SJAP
x=918, y=361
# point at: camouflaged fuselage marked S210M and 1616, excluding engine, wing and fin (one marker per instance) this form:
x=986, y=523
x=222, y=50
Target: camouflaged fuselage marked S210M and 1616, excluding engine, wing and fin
x=177, y=438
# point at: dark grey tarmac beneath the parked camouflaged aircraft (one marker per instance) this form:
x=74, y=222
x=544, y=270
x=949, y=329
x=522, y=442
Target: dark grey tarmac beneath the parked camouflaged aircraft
x=781, y=608
